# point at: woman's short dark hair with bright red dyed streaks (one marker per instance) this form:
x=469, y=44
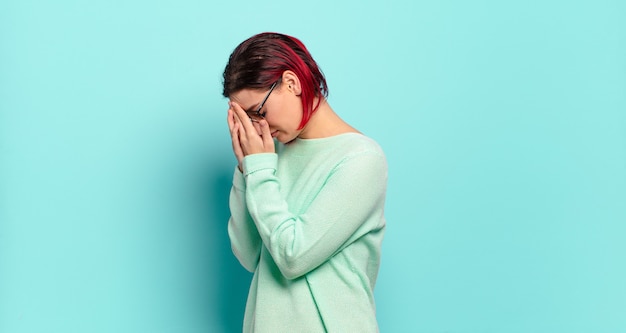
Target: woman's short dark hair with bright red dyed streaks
x=260, y=61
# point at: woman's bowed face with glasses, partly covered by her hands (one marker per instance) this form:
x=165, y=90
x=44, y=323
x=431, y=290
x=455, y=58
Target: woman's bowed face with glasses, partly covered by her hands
x=282, y=109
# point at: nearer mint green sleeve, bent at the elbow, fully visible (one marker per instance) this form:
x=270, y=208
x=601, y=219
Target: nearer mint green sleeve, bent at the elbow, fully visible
x=340, y=213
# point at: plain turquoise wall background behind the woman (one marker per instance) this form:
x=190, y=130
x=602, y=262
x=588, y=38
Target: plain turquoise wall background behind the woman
x=504, y=123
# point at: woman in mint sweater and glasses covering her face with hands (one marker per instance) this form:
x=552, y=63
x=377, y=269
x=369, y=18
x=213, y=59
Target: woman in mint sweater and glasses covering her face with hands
x=307, y=197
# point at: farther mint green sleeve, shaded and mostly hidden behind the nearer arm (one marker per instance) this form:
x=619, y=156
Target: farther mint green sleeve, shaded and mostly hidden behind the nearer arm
x=244, y=237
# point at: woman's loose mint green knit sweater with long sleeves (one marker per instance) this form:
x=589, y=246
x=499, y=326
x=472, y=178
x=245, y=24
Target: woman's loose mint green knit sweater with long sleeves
x=308, y=221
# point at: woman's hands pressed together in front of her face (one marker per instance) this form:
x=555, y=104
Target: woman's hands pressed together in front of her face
x=248, y=137
